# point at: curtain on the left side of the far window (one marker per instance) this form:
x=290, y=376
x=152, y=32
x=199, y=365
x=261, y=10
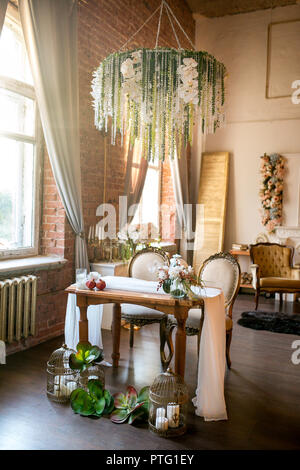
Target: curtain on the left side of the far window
x=136, y=171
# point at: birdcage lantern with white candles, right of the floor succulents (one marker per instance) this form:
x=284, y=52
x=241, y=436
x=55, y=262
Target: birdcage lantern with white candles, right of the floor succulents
x=168, y=398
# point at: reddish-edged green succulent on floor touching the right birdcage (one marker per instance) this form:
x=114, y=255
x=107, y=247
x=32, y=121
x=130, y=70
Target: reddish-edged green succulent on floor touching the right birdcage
x=131, y=405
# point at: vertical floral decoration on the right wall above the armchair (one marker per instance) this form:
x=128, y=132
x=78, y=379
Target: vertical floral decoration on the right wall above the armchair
x=271, y=192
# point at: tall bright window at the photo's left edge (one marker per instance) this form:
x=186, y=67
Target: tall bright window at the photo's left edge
x=18, y=145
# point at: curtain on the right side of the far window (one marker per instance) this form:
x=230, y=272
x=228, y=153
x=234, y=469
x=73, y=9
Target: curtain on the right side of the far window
x=186, y=187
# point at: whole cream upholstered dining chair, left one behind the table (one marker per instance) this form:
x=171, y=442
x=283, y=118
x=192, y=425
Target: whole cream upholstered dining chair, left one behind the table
x=144, y=265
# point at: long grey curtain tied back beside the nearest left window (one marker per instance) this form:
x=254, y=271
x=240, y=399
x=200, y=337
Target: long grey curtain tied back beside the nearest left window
x=50, y=32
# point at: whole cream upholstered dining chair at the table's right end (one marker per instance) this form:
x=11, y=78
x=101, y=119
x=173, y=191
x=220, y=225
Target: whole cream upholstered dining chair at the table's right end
x=219, y=270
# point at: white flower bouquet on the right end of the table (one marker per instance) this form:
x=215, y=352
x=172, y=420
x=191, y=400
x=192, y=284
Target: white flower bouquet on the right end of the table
x=177, y=279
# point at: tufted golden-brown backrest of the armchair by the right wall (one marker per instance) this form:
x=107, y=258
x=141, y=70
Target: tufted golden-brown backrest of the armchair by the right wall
x=274, y=260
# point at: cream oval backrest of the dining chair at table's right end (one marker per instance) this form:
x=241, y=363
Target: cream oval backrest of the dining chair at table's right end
x=222, y=270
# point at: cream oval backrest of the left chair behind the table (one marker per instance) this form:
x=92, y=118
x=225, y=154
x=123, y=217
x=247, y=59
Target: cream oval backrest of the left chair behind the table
x=145, y=263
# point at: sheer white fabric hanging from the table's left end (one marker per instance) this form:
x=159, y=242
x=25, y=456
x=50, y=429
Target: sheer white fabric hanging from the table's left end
x=94, y=315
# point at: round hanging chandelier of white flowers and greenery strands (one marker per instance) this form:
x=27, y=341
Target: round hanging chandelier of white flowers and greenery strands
x=158, y=94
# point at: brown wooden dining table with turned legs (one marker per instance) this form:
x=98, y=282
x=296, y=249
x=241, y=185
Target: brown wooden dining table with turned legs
x=161, y=302
